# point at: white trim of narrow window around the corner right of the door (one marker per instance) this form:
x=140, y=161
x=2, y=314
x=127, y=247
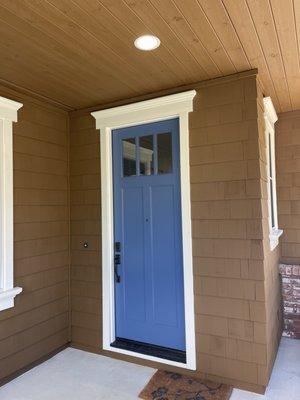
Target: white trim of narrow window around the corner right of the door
x=270, y=119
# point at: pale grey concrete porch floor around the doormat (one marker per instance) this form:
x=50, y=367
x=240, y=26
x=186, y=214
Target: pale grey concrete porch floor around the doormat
x=77, y=375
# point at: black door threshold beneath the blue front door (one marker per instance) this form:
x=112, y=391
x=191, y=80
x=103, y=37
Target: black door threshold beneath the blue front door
x=150, y=350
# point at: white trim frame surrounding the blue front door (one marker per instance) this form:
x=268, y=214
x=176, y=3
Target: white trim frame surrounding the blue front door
x=177, y=105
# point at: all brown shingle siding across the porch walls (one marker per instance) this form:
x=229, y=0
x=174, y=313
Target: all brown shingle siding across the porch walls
x=235, y=275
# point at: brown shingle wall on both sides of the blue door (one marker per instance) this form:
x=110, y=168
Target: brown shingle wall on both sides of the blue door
x=232, y=266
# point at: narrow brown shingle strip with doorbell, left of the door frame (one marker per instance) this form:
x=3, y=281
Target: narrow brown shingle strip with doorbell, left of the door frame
x=85, y=226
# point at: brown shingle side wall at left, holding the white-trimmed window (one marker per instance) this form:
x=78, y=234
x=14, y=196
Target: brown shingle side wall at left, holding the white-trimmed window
x=38, y=324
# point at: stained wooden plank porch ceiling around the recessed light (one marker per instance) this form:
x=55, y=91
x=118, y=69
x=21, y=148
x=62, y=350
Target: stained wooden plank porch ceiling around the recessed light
x=80, y=52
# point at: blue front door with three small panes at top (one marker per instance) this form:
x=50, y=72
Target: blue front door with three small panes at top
x=149, y=296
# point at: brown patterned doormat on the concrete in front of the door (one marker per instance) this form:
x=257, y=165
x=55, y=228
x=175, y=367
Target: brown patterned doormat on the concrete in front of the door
x=172, y=386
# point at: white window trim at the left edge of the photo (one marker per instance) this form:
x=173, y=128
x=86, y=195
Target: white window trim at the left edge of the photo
x=8, y=115
